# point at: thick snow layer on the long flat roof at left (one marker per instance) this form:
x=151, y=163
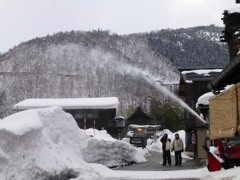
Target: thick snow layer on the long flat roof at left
x=70, y=103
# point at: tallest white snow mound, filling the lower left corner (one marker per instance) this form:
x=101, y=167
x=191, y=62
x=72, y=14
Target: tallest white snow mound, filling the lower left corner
x=38, y=144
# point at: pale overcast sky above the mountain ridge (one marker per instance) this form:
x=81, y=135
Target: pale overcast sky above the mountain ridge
x=22, y=20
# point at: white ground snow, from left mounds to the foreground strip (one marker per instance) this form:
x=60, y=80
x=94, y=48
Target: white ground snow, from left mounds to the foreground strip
x=44, y=144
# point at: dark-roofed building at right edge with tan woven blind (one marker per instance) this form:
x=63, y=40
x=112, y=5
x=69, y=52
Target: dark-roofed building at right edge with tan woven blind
x=229, y=76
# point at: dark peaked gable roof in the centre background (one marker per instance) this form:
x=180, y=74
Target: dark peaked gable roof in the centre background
x=140, y=118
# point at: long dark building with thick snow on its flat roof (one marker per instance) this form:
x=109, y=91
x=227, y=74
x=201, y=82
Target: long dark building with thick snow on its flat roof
x=88, y=112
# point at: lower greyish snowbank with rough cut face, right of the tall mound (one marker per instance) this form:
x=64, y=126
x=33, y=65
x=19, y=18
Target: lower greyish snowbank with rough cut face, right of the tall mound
x=103, y=149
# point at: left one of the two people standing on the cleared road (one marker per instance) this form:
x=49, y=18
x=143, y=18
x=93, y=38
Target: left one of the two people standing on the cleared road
x=166, y=148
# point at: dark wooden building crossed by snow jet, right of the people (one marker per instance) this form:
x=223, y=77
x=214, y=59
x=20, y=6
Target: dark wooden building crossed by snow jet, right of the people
x=193, y=84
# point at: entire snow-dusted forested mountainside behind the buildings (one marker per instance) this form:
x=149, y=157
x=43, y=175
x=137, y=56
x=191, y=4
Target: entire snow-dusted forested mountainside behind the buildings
x=100, y=64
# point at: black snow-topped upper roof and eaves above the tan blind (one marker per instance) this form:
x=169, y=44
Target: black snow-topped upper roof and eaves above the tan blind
x=231, y=35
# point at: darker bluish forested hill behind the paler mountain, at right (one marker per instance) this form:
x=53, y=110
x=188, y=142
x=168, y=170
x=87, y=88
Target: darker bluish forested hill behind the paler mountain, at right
x=197, y=47
